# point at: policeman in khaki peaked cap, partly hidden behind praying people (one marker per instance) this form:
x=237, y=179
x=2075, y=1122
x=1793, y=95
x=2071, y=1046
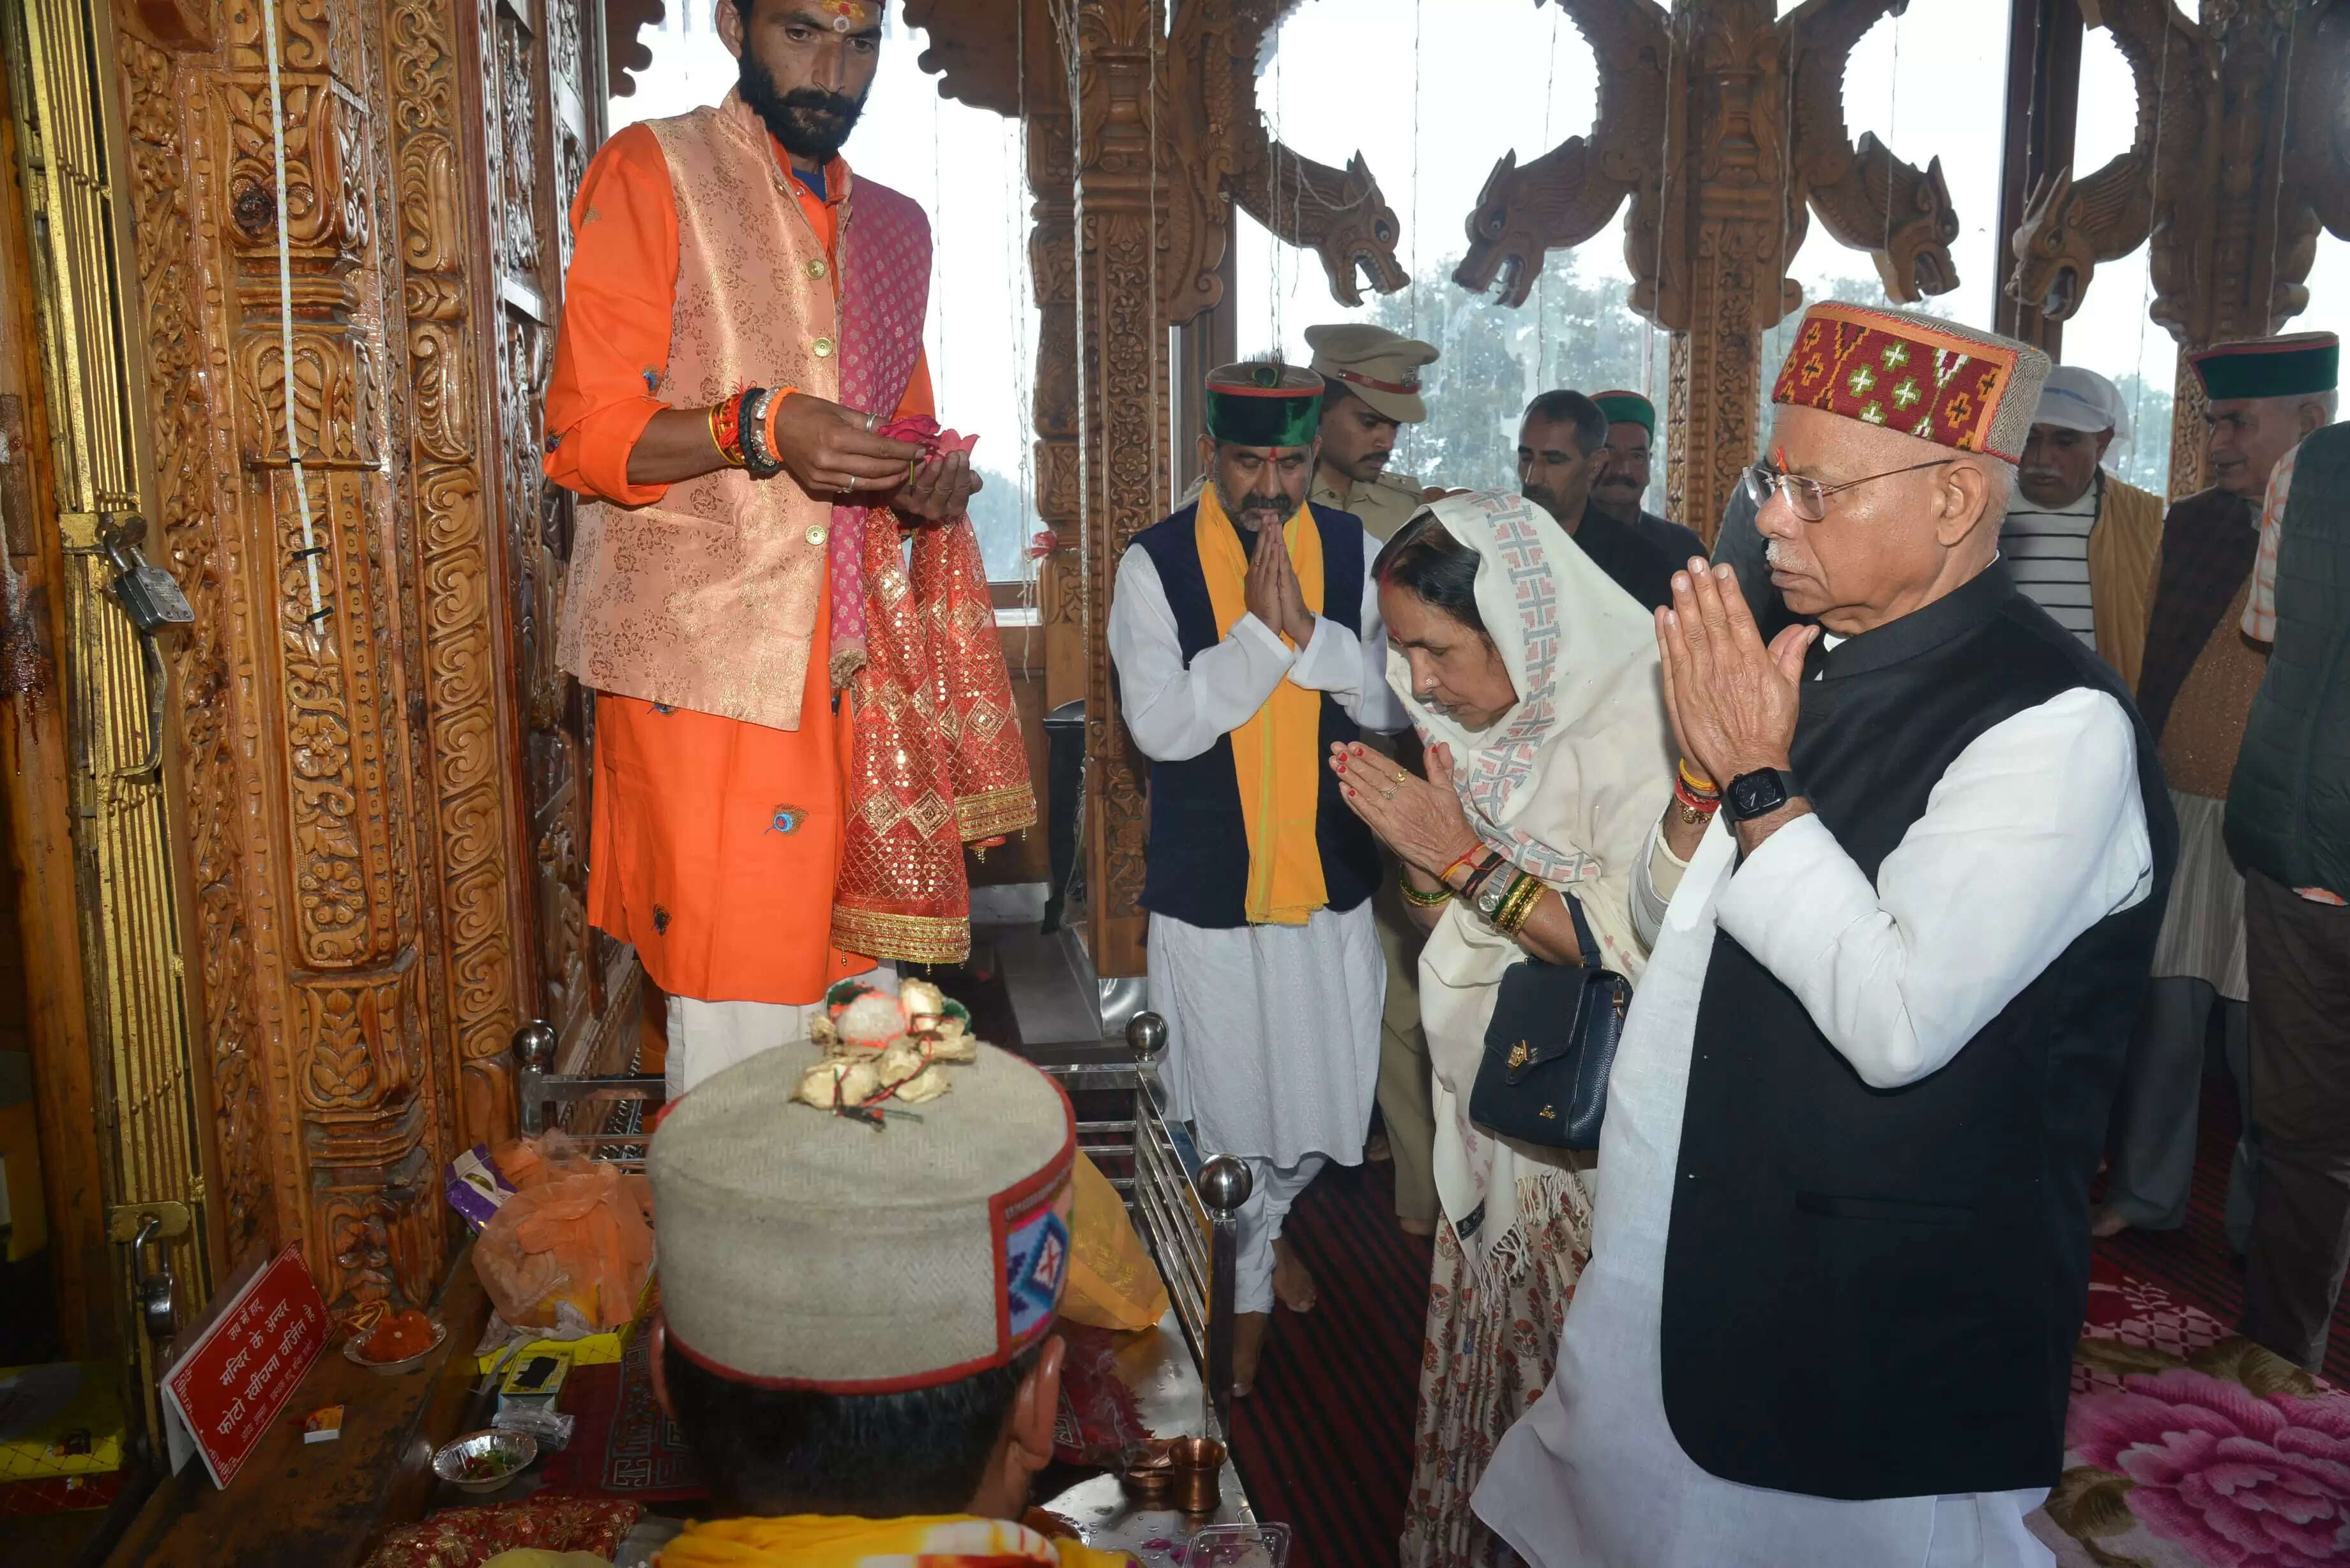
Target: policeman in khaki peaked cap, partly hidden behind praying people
x=1371, y=391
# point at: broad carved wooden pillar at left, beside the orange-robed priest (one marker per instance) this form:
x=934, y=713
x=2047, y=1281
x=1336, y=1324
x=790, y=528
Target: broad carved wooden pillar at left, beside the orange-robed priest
x=356, y=798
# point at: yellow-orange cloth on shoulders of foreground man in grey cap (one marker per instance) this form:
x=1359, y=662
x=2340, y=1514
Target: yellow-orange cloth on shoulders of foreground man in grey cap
x=812, y=1541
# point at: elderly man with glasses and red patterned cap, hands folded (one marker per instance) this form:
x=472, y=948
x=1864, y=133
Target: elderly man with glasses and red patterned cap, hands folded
x=1902, y=911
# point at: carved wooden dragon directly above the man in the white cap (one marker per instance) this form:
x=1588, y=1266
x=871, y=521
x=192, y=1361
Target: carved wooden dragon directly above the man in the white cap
x=2074, y=225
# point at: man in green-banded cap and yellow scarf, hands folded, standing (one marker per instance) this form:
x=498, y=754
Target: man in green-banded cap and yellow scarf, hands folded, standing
x=1247, y=641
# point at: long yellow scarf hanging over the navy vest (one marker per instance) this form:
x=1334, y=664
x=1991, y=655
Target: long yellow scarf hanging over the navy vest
x=1277, y=753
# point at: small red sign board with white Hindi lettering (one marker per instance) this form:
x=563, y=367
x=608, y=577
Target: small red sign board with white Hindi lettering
x=241, y=1372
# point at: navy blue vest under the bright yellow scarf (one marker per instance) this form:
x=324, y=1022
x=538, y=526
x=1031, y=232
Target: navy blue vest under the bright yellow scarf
x=1197, y=862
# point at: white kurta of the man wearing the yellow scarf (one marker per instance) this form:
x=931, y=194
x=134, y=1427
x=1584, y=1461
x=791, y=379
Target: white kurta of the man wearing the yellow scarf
x=1273, y=1031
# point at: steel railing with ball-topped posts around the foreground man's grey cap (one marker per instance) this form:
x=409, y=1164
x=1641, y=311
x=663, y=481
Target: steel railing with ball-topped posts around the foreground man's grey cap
x=1188, y=1209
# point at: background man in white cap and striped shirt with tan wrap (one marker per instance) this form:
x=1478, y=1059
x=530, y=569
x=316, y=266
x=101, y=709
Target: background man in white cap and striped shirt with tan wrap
x=2083, y=544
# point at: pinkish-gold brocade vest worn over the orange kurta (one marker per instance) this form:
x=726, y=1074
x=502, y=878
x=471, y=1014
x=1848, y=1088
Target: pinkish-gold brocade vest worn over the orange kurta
x=709, y=598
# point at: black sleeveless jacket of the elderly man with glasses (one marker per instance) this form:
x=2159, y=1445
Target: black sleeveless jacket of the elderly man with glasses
x=1876, y=1292
